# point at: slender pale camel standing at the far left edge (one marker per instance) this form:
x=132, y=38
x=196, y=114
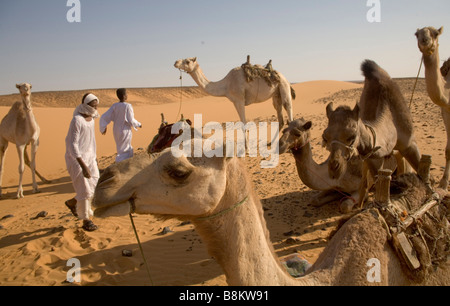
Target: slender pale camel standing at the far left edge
x=19, y=126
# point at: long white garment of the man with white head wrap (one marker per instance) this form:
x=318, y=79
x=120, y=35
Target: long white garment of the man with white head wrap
x=80, y=142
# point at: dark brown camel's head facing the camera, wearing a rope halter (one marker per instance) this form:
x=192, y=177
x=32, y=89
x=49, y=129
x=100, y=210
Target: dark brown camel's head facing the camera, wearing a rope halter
x=341, y=138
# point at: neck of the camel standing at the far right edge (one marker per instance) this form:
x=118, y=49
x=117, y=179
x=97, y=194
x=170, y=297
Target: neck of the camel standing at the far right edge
x=434, y=80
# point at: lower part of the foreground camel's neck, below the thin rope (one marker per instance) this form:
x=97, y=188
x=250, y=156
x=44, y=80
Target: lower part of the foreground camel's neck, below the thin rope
x=239, y=242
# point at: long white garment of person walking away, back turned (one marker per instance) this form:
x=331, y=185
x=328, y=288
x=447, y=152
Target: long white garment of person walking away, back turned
x=122, y=114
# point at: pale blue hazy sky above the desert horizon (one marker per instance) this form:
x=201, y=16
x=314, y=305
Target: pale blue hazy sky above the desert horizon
x=134, y=43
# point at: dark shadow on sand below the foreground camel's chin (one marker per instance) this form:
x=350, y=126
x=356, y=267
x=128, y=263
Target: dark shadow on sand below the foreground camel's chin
x=173, y=254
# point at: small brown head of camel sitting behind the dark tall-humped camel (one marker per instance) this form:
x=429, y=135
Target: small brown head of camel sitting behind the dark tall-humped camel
x=295, y=136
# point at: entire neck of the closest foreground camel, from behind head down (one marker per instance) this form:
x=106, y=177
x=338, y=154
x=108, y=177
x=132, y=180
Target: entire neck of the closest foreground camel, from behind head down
x=239, y=239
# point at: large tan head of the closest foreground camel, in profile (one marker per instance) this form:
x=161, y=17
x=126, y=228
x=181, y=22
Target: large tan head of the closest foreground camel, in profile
x=161, y=184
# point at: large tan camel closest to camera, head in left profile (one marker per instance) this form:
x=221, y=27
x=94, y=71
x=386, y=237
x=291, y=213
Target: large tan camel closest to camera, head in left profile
x=217, y=196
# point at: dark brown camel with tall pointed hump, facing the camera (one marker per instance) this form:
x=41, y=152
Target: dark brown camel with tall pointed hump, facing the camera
x=380, y=123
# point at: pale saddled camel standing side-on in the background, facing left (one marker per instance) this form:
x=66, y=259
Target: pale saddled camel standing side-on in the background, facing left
x=240, y=91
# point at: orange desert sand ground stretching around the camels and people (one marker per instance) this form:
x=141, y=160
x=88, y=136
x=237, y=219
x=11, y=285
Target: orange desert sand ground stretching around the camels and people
x=36, y=251
